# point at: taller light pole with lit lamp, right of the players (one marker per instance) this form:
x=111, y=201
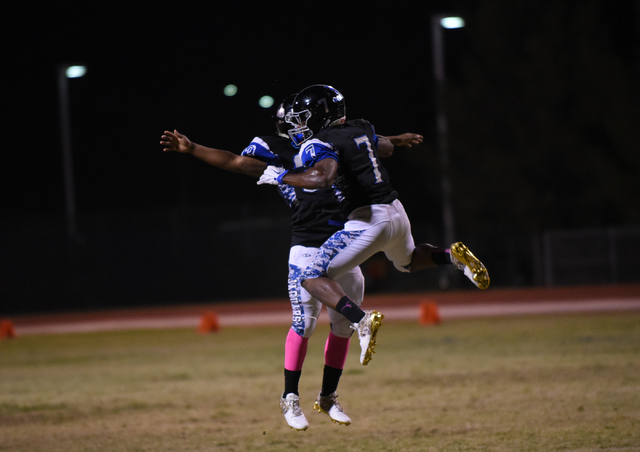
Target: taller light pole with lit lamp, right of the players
x=438, y=22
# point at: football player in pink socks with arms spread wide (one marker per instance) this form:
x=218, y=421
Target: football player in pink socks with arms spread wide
x=316, y=215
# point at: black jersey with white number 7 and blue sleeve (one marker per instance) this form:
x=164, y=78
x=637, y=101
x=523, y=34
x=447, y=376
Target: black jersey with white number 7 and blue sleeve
x=361, y=178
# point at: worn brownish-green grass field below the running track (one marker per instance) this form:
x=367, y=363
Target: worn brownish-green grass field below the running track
x=568, y=383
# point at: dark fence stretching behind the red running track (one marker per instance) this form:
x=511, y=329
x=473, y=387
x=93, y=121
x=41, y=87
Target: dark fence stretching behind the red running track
x=238, y=252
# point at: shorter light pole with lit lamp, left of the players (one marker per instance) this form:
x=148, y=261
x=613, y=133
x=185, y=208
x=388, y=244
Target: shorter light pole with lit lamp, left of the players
x=66, y=72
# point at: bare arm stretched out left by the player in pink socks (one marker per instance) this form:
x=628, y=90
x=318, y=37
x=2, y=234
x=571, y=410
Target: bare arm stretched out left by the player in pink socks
x=176, y=142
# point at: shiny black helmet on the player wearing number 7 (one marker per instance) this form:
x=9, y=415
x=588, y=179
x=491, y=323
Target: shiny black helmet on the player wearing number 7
x=315, y=108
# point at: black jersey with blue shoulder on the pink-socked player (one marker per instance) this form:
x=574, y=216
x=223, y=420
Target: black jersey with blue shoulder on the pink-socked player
x=316, y=214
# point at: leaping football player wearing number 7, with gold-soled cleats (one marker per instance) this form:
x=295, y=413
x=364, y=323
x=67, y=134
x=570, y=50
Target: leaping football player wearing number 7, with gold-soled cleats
x=345, y=155
